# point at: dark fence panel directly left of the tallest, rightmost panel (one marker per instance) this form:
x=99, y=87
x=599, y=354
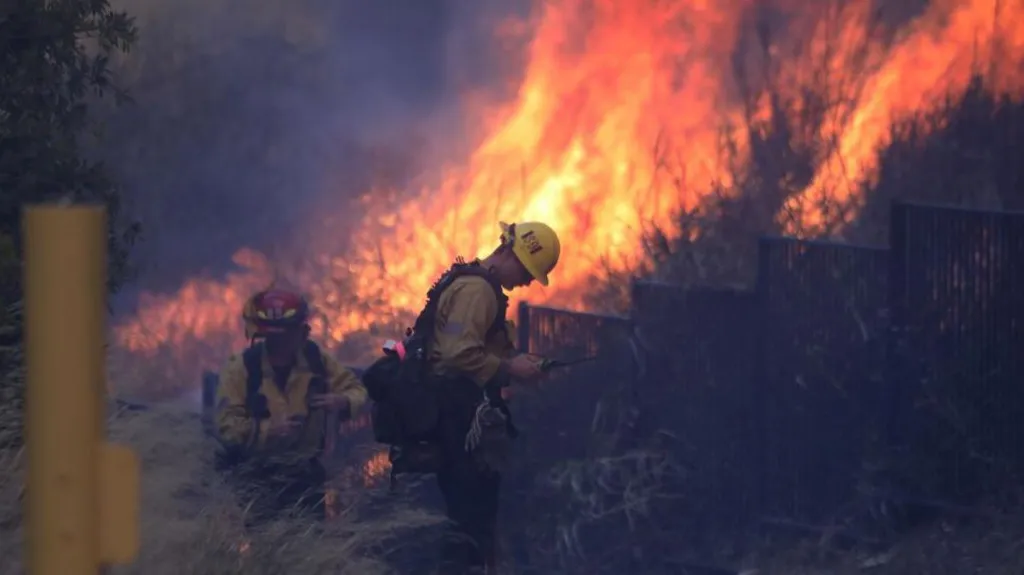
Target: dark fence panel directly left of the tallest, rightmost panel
x=822, y=356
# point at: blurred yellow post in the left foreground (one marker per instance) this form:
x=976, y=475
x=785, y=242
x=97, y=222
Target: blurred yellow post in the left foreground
x=81, y=493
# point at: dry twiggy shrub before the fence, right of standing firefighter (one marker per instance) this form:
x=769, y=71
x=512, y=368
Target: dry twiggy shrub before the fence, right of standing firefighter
x=590, y=480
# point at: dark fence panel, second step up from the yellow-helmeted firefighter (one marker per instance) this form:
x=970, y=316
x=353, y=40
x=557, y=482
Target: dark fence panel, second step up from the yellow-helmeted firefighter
x=699, y=387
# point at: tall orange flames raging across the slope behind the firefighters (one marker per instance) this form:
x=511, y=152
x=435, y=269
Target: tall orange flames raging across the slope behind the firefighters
x=619, y=123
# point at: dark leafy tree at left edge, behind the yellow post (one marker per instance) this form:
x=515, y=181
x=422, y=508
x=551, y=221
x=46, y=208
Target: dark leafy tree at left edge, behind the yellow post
x=55, y=59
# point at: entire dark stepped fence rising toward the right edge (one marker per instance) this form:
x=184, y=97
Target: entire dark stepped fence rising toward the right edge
x=846, y=374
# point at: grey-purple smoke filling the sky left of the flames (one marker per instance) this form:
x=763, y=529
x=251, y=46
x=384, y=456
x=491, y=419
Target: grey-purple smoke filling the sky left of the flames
x=247, y=116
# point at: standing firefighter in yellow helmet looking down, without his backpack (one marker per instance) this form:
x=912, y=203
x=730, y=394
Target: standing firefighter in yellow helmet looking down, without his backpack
x=471, y=352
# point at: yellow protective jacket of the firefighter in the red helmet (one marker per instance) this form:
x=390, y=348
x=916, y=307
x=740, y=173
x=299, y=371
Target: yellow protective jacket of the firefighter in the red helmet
x=237, y=427
